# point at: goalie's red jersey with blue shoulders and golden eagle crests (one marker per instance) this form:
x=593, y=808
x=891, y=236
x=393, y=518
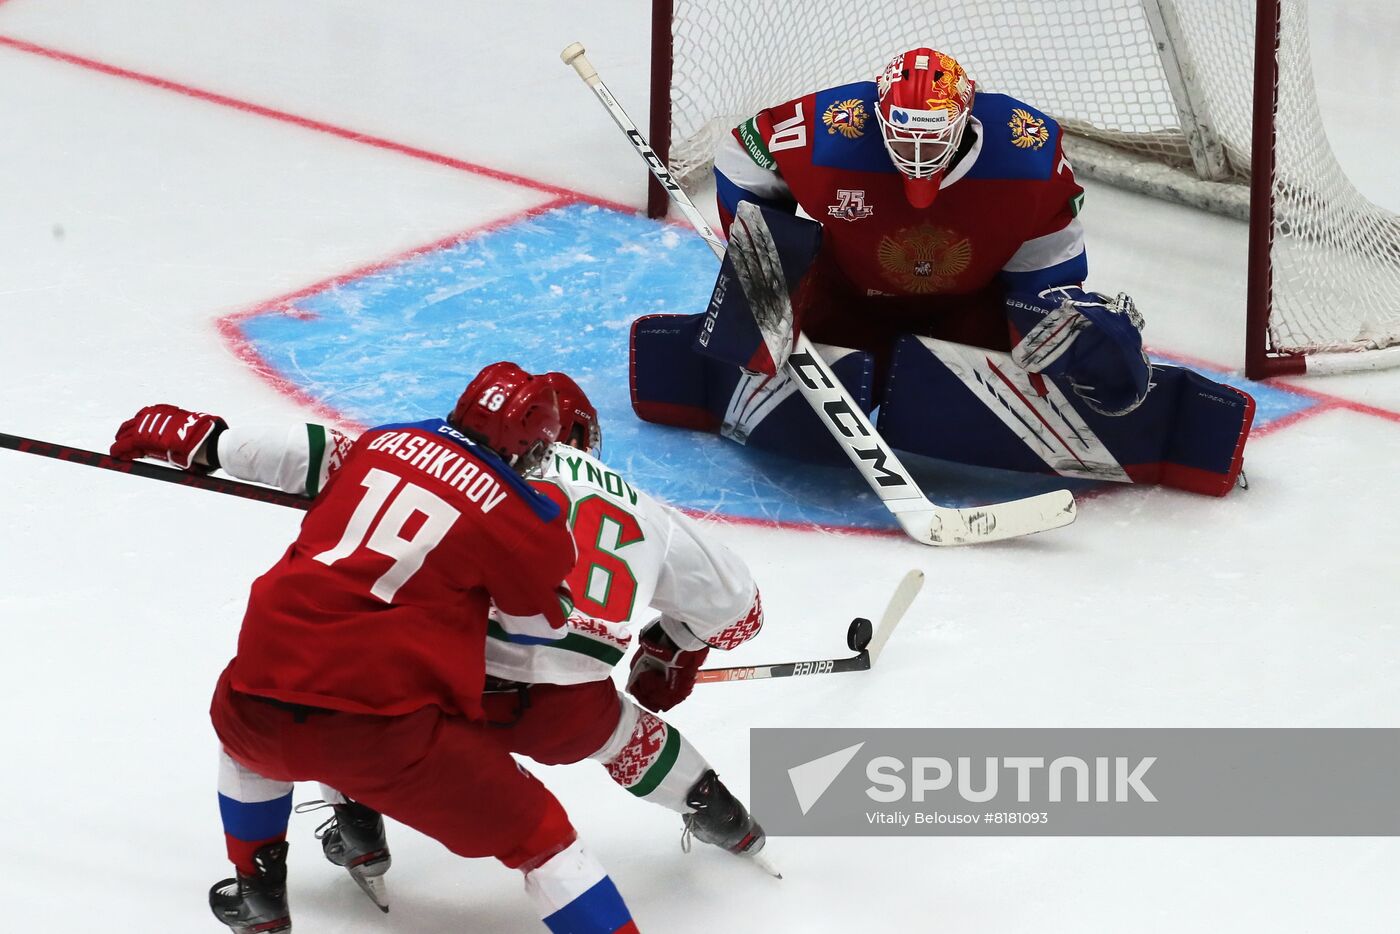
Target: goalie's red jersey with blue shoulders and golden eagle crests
x=1004, y=219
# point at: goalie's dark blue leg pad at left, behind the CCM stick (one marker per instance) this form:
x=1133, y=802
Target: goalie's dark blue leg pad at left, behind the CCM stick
x=674, y=386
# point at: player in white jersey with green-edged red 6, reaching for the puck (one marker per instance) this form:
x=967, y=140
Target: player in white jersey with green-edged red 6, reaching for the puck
x=551, y=691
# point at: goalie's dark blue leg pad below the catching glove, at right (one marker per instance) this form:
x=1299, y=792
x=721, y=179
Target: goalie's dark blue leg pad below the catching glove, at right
x=976, y=407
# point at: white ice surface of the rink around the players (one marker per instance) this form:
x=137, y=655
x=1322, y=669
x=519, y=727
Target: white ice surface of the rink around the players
x=131, y=219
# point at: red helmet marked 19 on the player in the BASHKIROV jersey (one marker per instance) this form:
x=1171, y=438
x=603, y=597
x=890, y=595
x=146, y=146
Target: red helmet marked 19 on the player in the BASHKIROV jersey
x=513, y=412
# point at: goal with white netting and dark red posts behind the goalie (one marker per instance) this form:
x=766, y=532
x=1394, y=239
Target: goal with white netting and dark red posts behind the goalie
x=1154, y=96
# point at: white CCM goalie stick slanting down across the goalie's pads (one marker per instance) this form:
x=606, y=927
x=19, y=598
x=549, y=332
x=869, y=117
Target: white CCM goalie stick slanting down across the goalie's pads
x=922, y=520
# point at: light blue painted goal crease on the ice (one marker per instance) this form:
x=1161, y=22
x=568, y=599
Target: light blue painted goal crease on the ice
x=559, y=291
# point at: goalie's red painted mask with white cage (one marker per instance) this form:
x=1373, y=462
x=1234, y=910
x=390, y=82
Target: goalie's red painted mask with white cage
x=923, y=109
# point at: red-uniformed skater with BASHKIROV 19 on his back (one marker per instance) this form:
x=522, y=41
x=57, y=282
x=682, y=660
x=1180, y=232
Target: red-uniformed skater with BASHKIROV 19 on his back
x=362, y=656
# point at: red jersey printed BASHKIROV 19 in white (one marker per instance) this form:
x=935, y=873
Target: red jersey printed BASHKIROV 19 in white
x=380, y=604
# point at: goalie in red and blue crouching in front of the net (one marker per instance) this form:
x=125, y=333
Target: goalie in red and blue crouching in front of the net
x=943, y=277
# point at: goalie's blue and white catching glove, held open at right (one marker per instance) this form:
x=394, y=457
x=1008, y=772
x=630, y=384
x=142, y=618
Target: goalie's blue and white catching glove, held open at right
x=1087, y=340
